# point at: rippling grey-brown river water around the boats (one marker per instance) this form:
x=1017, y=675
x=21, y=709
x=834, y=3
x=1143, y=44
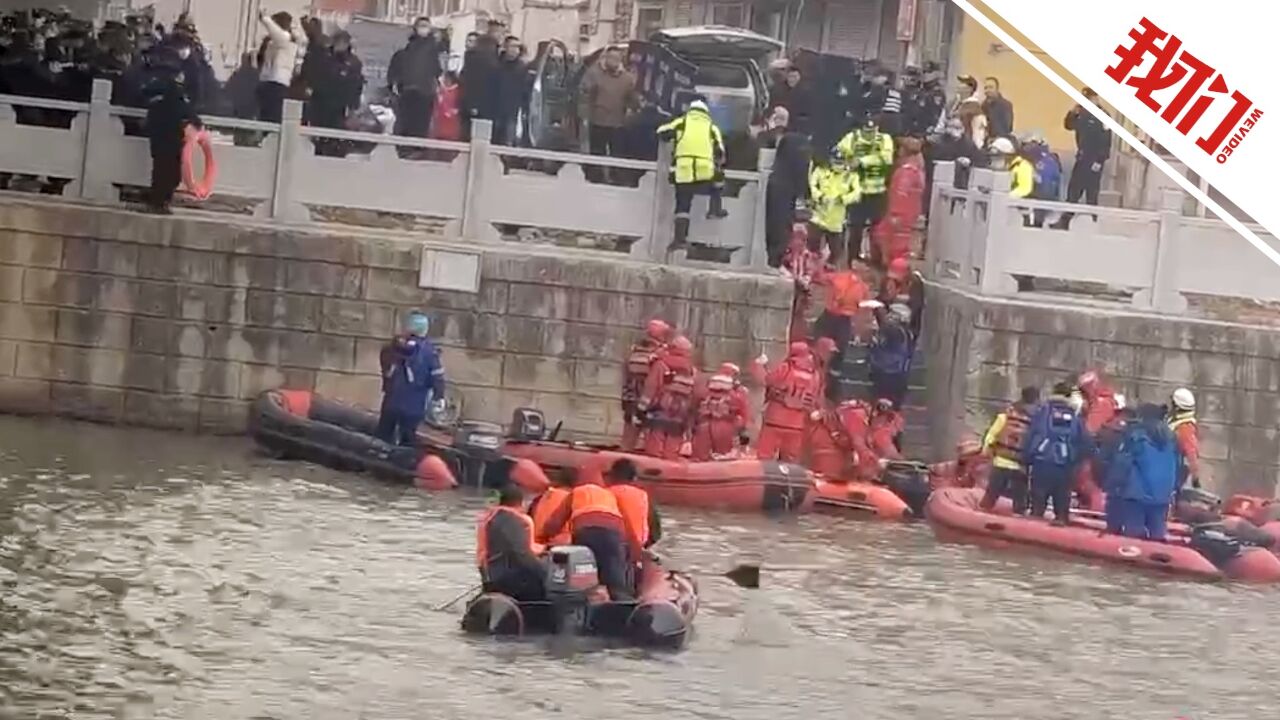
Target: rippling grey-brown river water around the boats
x=166, y=576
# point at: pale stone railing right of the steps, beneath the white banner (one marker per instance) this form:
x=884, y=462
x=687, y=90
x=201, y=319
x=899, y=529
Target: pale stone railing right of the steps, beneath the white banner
x=980, y=239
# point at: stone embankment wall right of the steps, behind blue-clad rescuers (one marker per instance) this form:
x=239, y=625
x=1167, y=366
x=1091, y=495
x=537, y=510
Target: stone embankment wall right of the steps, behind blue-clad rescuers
x=982, y=350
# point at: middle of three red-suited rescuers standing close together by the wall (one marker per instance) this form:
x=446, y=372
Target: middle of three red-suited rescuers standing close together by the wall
x=668, y=400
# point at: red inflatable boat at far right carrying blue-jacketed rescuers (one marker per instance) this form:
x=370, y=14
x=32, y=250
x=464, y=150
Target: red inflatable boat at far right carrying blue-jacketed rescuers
x=956, y=516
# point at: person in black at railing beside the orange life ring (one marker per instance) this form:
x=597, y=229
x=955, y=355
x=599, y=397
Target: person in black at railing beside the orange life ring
x=170, y=112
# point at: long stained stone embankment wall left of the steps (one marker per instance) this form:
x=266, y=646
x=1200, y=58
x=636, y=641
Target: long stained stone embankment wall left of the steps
x=179, y=323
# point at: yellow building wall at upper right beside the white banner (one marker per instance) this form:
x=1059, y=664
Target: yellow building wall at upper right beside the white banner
x=1039, y=104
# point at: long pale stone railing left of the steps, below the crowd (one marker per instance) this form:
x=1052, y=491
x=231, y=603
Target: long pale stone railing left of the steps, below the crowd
x=473, y=189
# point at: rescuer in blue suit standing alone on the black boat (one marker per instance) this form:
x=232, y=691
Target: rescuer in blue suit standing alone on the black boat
x=413, y=376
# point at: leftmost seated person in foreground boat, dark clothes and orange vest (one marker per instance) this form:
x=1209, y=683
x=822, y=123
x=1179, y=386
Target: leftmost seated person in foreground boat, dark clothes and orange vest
x=508, y=554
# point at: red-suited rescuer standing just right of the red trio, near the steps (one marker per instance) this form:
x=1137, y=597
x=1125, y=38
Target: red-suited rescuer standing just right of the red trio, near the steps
x=792, y=395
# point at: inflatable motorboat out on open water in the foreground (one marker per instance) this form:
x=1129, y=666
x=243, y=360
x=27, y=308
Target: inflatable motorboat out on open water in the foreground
x=662, y=616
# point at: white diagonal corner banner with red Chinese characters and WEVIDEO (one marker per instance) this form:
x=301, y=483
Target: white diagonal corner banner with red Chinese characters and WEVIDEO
x=1188, y=76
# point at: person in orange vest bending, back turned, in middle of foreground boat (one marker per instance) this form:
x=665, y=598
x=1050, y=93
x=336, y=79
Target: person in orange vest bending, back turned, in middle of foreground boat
x=595, y=521
